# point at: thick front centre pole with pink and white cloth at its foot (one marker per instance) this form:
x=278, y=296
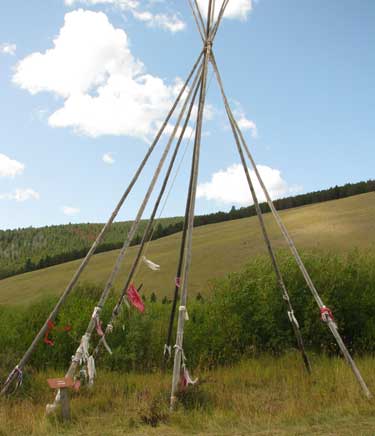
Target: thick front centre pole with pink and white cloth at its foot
x=178, y=354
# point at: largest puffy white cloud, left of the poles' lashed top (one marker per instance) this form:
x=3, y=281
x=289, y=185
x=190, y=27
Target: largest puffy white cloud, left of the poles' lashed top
x=105, y=89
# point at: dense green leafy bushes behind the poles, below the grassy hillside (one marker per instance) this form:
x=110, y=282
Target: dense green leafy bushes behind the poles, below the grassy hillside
x=241, y=315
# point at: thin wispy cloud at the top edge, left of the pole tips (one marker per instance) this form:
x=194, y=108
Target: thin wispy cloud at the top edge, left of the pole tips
x=171, y=22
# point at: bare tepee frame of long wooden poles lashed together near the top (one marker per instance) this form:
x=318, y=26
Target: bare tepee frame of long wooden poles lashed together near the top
x=194, y=86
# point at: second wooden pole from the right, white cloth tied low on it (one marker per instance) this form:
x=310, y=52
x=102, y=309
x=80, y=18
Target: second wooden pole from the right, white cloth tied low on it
x=284, y=291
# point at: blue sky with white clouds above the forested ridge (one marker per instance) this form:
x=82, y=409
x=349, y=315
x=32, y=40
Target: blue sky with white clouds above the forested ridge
x=300, y=76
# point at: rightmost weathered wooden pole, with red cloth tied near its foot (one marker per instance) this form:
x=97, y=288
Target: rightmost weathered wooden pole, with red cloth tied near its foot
x=331, y=324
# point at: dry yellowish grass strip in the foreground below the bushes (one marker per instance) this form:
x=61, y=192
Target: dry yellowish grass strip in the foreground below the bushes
x=264, y=396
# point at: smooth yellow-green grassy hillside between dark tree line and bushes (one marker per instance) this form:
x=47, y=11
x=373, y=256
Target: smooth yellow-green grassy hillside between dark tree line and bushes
x=338, y=226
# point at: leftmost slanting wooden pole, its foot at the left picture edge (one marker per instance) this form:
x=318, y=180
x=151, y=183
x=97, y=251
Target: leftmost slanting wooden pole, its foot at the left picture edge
x=21, y=364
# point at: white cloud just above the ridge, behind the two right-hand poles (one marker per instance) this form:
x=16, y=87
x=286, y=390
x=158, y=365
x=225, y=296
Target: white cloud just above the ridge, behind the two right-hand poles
x=230, y=185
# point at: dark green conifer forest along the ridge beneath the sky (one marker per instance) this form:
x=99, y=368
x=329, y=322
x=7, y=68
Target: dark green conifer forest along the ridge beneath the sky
x=24, y=250
